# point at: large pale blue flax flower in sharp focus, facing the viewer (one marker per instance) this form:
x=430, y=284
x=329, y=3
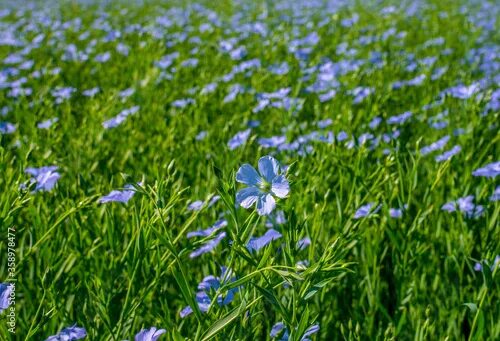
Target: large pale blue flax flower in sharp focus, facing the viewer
x=262, y=187
